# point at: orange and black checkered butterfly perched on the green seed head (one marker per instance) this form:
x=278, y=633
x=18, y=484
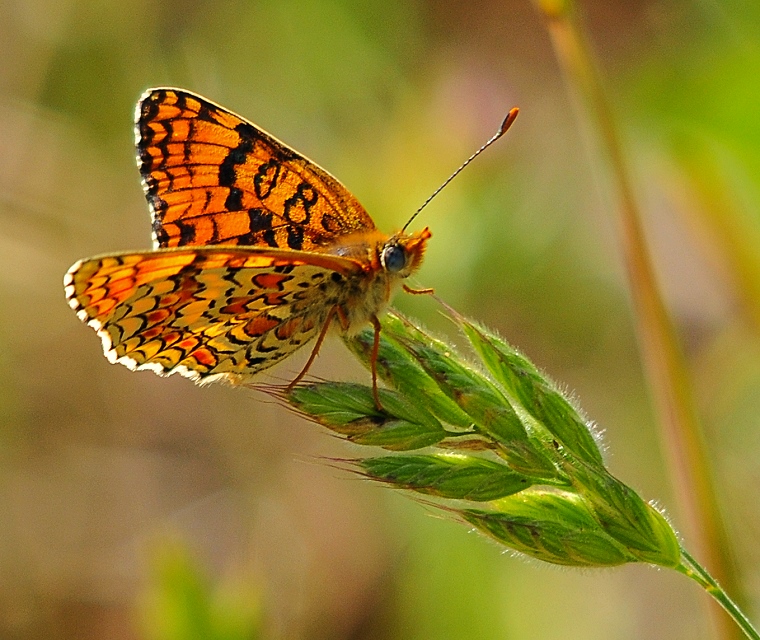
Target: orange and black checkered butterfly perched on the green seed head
x=257, y=251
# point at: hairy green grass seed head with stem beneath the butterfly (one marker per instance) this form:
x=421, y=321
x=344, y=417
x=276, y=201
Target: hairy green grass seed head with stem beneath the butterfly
x=507, y=453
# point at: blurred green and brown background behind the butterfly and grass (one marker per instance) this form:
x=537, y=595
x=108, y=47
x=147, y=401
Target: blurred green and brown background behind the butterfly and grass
x=127, y=500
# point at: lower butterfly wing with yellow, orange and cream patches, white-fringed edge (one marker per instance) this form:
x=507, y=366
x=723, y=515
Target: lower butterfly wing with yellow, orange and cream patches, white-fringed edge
x=205, y=313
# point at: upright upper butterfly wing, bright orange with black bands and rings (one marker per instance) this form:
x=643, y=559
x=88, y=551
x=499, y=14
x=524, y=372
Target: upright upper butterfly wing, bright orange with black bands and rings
x=211, y=177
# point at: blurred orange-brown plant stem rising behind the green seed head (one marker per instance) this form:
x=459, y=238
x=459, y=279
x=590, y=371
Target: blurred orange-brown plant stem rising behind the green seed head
x=665, y=363
